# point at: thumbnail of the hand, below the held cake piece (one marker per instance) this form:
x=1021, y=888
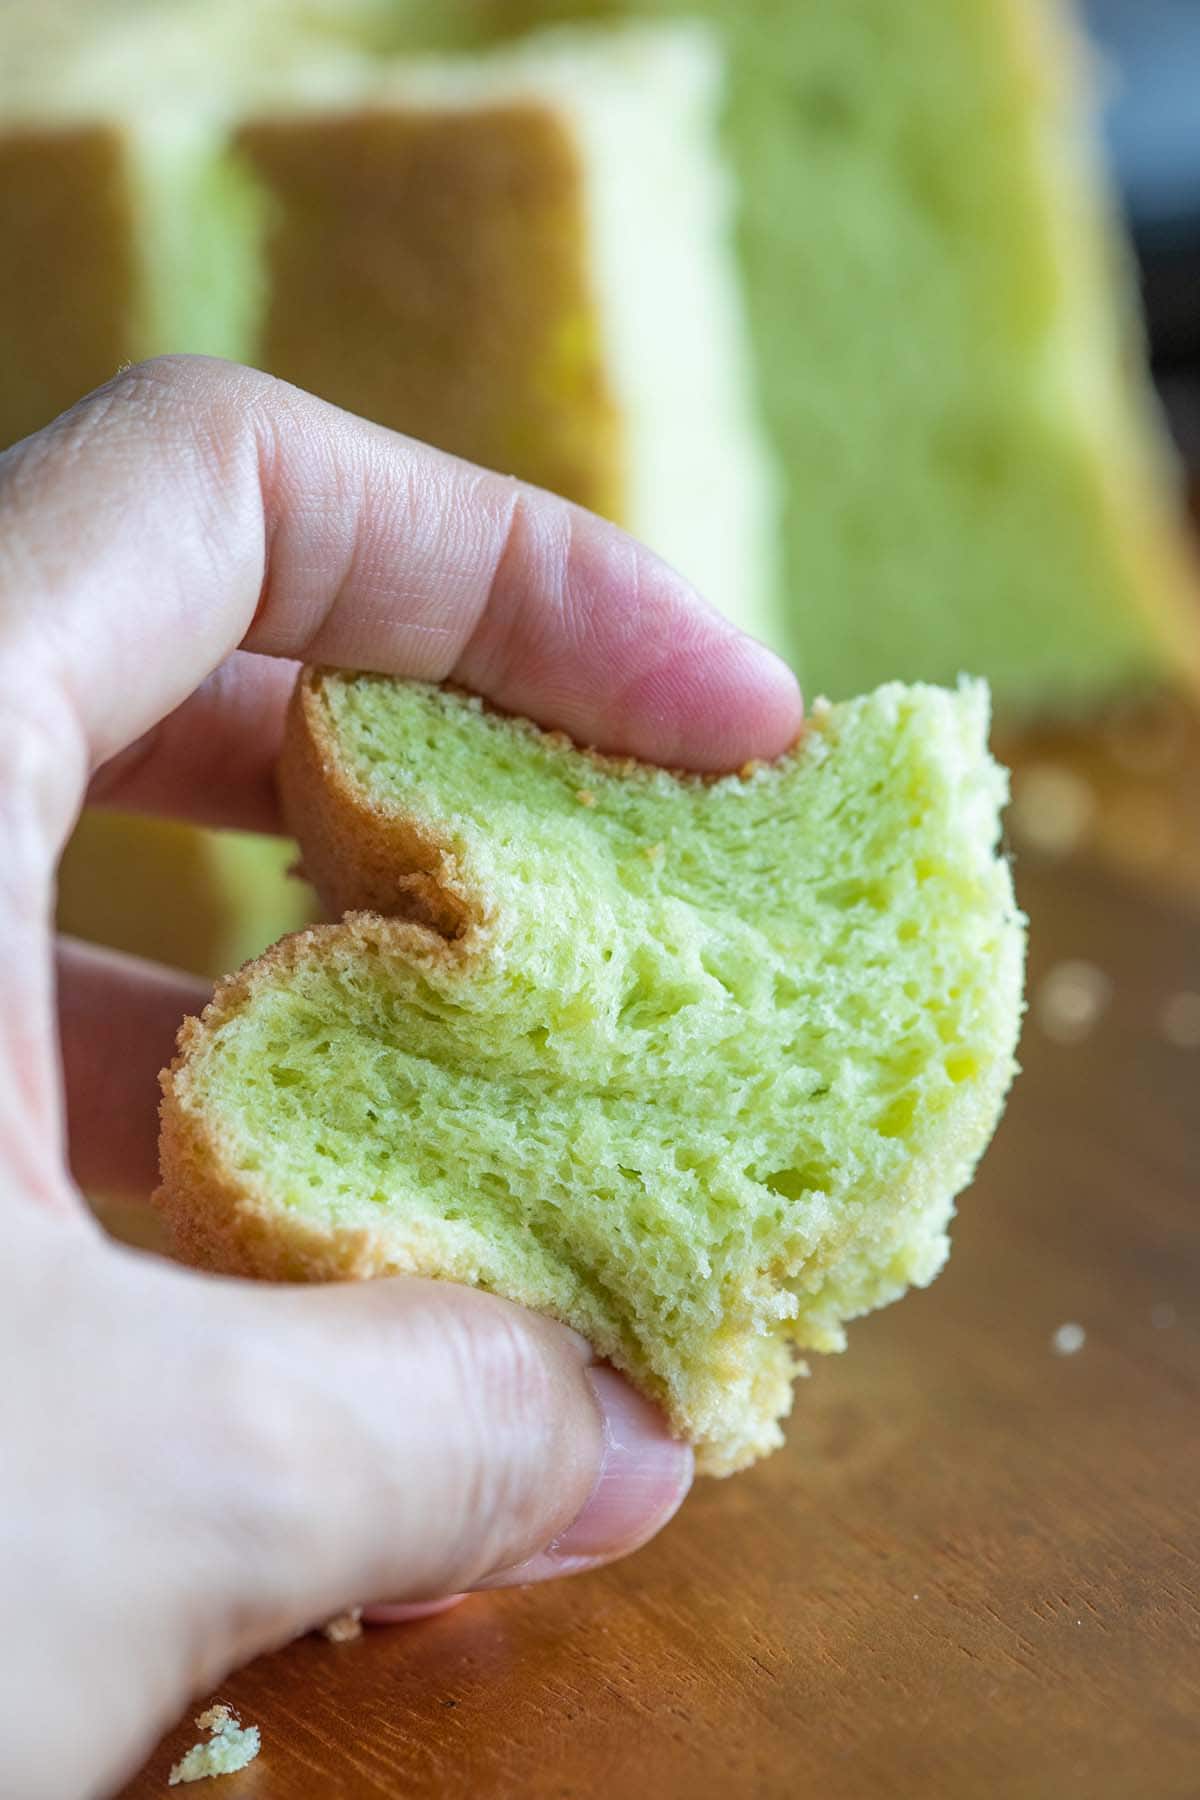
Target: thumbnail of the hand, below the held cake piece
x=641, y=1486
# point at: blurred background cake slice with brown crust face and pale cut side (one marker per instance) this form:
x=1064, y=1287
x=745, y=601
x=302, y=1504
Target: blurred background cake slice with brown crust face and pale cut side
x=528, y=260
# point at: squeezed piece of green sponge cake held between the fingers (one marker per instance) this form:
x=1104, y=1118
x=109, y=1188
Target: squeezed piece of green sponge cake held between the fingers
x=697, y=1066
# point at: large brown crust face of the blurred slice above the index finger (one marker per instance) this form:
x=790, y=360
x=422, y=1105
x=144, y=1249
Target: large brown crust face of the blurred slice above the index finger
x=460, y=240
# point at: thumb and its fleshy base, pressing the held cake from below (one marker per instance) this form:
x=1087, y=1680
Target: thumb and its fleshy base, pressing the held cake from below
x=199, y=1470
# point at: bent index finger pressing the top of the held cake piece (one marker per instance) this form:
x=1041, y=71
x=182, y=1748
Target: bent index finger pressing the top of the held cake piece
x=192, y=507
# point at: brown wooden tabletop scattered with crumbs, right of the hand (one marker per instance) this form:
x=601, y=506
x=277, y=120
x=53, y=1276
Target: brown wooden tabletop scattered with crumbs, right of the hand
x=974, y=1570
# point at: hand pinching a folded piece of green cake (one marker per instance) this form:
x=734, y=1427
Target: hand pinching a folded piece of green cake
x=195, y=1470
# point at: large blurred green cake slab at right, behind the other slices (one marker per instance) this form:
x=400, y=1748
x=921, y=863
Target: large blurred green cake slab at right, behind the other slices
x=949, y=345
